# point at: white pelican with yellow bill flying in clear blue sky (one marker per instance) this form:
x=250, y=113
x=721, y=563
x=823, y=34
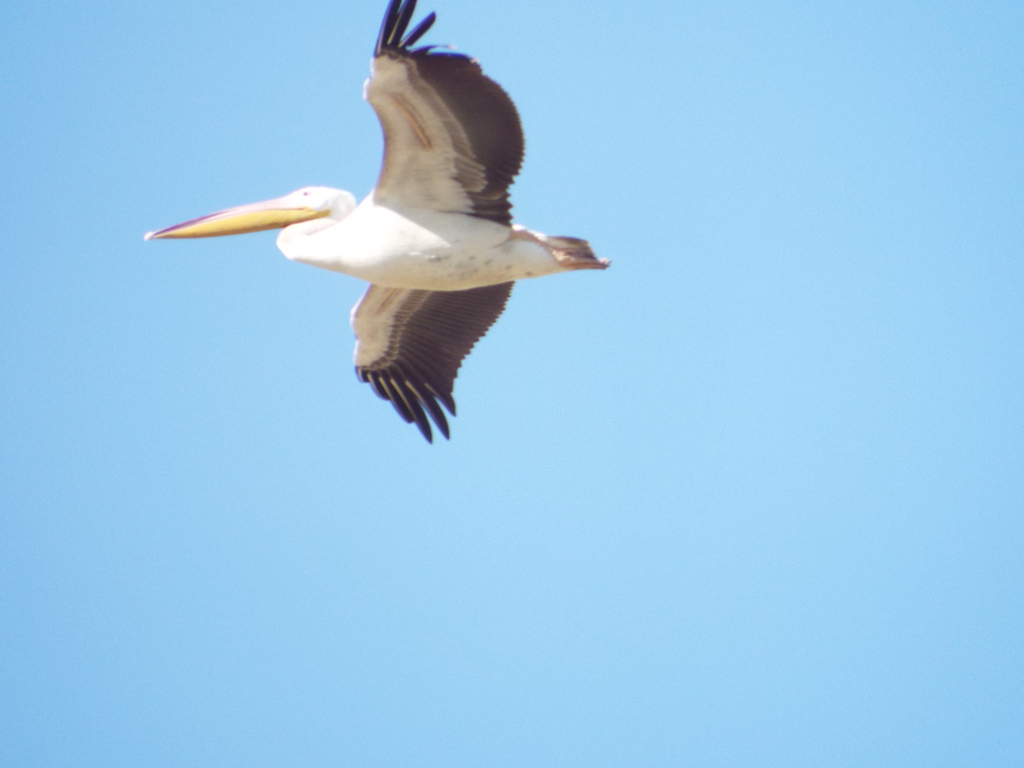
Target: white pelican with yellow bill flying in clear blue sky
x=435, y=239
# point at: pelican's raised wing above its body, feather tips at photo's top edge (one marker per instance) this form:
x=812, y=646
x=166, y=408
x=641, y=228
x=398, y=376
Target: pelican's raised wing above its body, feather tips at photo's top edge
x=452, y=137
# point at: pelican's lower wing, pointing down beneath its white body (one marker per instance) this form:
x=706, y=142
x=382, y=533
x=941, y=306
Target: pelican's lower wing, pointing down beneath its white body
x=410, y=345
